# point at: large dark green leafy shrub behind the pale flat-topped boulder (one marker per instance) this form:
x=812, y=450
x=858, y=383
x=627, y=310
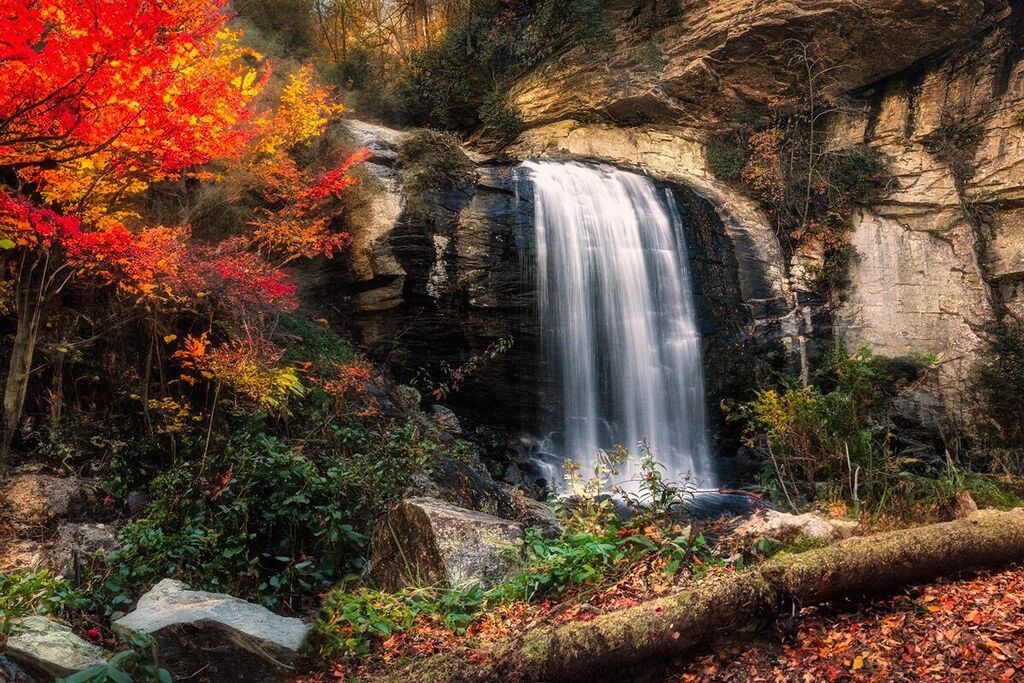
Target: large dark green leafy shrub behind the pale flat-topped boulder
x=257, y=520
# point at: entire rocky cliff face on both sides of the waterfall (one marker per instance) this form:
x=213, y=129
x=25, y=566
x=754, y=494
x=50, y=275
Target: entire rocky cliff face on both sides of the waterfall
x=937, y=87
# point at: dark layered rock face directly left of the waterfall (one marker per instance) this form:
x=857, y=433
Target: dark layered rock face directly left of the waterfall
x=438, y=278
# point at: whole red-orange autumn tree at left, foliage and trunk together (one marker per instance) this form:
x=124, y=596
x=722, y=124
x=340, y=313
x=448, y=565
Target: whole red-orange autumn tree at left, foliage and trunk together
x=98, y=100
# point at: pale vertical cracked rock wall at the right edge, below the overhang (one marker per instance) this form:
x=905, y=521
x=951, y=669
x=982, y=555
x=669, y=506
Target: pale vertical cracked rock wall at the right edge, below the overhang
x=945, y=253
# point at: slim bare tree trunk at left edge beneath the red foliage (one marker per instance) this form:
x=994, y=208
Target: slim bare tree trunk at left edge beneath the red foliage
x=30, y=310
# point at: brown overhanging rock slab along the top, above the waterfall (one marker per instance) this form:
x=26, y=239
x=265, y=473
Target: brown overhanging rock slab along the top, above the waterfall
x=700, y=62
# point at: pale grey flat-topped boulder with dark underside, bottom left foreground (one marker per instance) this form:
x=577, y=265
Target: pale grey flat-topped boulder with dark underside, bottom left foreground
x=204, y=636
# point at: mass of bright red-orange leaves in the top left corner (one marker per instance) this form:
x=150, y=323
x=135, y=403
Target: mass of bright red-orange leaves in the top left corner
x=100, y=98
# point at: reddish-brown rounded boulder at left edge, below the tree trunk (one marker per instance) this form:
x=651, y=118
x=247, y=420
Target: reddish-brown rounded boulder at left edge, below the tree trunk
x=35, y=500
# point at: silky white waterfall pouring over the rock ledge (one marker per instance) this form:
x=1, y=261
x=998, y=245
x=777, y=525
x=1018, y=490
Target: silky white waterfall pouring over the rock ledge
x=618, y=320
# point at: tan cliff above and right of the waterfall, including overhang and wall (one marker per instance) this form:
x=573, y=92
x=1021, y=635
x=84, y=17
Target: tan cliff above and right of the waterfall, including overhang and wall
x=937, y=88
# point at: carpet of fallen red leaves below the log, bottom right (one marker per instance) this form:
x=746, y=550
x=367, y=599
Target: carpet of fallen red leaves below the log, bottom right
x=954, y=630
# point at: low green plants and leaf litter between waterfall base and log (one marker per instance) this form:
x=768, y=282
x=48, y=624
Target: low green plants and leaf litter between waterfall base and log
x=599, y=547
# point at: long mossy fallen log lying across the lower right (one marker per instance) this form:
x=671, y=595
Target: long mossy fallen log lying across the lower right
x=669, y=627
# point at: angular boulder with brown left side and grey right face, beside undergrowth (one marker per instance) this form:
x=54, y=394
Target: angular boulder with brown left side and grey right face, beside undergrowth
x=428, y=542
